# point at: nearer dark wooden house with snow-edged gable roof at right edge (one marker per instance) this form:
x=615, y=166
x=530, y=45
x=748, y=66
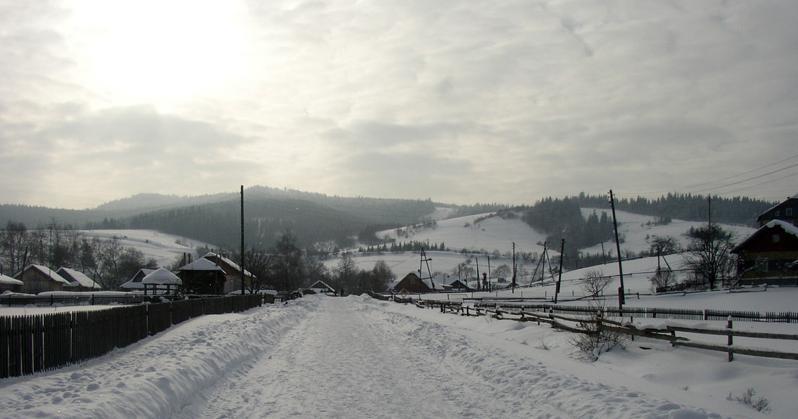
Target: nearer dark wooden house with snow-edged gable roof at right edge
x=769, y=255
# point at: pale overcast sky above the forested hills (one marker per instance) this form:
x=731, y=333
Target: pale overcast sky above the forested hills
x=458, y=101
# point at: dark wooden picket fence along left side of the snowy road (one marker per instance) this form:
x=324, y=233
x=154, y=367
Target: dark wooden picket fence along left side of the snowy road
x=34, y=343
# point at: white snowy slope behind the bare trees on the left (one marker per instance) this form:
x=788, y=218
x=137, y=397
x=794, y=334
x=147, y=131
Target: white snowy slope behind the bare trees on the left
x=164, y=248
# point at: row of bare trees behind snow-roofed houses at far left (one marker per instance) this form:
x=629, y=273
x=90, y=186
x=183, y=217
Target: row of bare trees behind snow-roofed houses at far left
x=106, y=261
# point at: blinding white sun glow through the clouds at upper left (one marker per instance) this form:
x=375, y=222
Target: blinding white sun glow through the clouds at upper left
x=159, y=52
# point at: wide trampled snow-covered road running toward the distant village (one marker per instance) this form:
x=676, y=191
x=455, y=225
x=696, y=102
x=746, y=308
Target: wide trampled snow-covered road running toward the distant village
x=352, y=359
